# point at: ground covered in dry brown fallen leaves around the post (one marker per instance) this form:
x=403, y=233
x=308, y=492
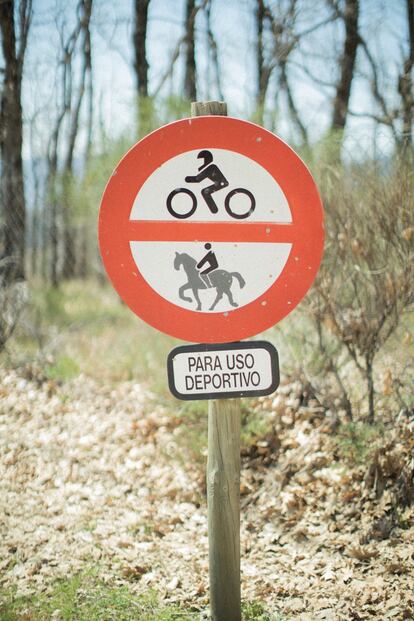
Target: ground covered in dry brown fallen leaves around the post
x=97, y=475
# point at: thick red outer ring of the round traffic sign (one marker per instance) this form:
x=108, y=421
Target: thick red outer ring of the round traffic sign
x=281, y=162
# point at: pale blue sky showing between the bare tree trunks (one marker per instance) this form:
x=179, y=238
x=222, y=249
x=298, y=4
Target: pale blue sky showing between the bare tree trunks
x=313, y=67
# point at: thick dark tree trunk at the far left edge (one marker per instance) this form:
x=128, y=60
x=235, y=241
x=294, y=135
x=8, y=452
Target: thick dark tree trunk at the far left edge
x=13, y=211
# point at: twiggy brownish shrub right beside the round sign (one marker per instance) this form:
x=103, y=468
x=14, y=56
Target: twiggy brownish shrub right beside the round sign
x=365, y=285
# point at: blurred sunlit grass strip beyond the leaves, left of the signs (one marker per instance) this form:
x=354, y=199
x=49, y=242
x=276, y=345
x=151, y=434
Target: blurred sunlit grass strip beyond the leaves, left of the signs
x=83, y=327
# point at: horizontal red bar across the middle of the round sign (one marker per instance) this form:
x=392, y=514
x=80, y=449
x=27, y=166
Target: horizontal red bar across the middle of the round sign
x=161, y=230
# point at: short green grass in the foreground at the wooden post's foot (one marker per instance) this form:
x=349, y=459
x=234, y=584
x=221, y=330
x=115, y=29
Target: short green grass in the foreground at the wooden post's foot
x=86, y=598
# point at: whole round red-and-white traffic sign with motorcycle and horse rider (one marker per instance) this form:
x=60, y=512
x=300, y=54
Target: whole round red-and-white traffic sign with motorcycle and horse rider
x=211, y=229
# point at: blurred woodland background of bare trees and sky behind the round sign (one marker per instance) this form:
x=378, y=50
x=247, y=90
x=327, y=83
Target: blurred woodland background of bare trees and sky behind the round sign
x=82, y=81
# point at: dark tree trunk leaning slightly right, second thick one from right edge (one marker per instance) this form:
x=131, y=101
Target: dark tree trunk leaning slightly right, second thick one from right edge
x=347, y=65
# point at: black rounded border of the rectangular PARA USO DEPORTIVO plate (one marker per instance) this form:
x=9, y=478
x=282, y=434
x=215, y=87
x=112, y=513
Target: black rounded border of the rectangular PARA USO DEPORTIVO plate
x=205, y=347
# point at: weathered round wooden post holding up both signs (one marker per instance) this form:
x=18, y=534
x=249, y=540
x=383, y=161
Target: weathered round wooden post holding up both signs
x=223, y=482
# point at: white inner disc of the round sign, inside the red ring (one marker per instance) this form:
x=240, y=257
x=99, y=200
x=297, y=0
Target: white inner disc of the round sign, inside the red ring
x=223, y=269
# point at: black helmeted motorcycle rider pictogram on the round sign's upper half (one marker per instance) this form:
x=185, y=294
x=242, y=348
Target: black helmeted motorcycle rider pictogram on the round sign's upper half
x=236, y=209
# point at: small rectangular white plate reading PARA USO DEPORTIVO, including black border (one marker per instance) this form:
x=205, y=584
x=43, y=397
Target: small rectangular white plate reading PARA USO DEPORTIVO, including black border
x=219, y=371
